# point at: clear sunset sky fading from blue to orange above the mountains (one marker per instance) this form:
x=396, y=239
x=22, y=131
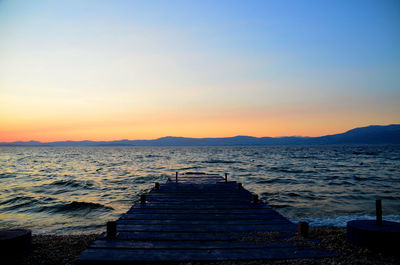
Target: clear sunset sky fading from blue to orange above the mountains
x=110, y=70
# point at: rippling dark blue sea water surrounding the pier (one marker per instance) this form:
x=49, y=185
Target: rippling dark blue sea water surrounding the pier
x=78, y=189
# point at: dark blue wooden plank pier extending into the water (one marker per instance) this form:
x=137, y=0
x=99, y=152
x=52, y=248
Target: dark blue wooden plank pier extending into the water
x=198, y=217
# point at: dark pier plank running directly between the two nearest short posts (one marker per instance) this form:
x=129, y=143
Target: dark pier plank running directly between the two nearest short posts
x=207, y=228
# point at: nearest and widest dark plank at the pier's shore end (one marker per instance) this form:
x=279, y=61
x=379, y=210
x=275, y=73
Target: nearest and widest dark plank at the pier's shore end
x=154, y=255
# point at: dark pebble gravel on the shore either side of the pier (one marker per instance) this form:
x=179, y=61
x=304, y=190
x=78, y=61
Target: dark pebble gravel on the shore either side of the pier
x=64, y=250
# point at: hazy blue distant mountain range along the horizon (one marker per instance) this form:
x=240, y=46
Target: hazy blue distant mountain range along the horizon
x=375, y=134
